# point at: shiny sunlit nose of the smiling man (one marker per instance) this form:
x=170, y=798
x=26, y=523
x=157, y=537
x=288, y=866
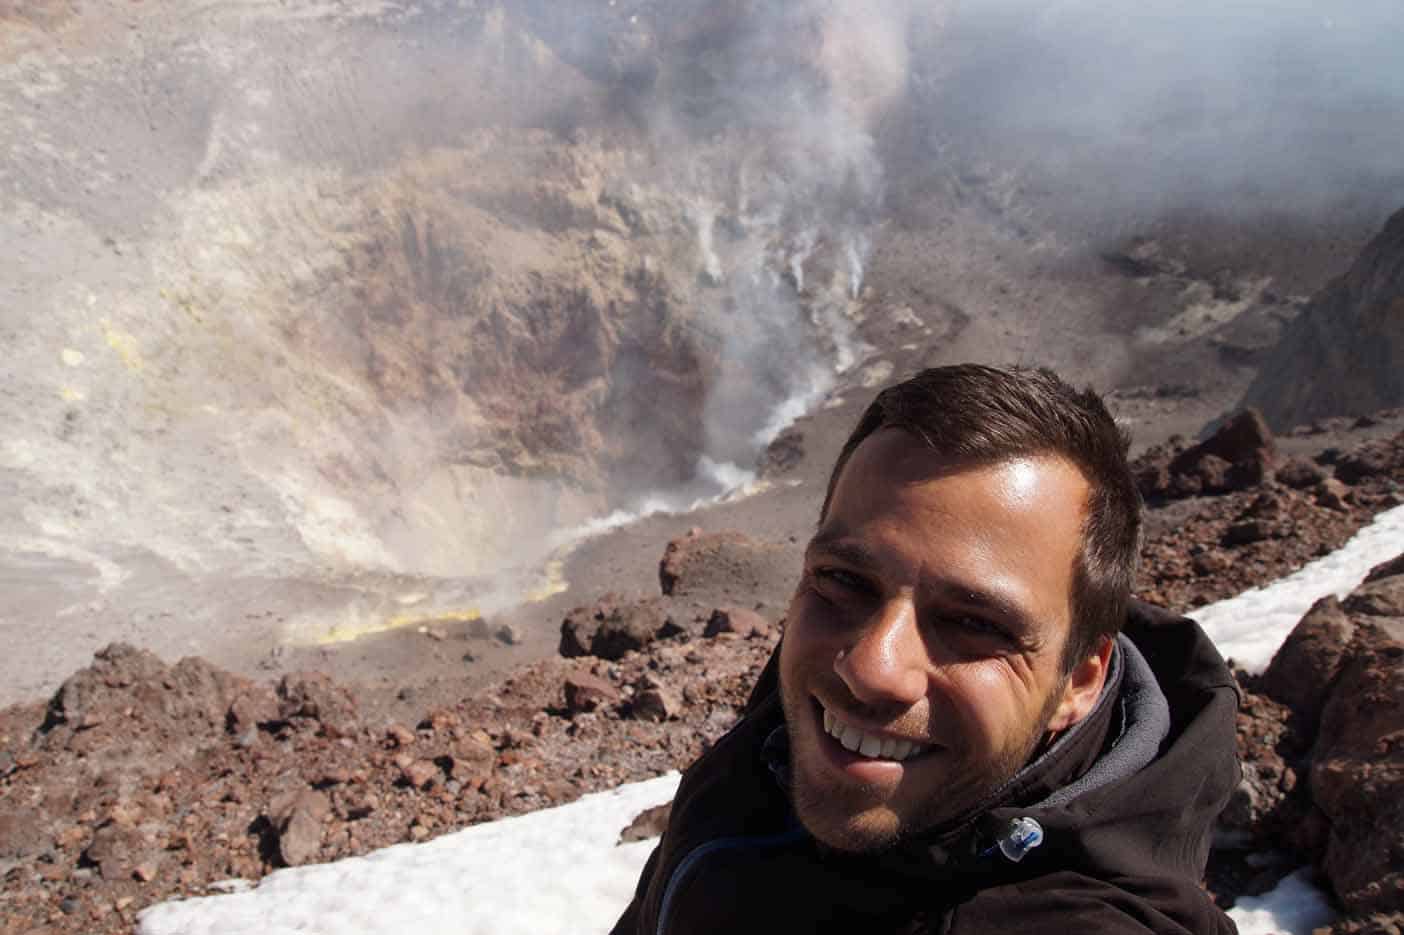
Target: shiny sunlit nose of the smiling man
x=885, y=665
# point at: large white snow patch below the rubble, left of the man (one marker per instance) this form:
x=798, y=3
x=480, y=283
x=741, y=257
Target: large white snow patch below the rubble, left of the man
x=551, y=871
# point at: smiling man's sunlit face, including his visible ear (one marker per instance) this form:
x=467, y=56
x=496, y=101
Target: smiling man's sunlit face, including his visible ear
x=927, y=632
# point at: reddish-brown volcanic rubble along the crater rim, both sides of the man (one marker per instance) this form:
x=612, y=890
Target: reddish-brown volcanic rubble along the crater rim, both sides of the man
x=141, y=781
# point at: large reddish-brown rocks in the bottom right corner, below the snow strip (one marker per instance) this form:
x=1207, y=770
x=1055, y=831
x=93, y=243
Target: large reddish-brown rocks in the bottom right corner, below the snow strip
x=1320, y=734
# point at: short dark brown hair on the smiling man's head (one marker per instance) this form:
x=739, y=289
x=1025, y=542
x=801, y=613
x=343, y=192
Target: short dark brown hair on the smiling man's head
x=984, y=415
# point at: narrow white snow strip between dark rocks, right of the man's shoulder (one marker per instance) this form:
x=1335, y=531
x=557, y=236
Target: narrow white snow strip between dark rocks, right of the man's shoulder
x=1250, y=628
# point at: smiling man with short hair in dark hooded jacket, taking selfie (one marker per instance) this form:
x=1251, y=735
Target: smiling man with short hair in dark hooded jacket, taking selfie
x=969, y=727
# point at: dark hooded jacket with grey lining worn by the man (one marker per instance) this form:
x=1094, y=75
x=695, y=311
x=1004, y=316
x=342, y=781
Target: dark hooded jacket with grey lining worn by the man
x=1127, y=804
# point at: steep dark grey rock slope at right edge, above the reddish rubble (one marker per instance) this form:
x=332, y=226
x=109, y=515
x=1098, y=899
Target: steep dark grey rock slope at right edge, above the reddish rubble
x=1342, y=356
